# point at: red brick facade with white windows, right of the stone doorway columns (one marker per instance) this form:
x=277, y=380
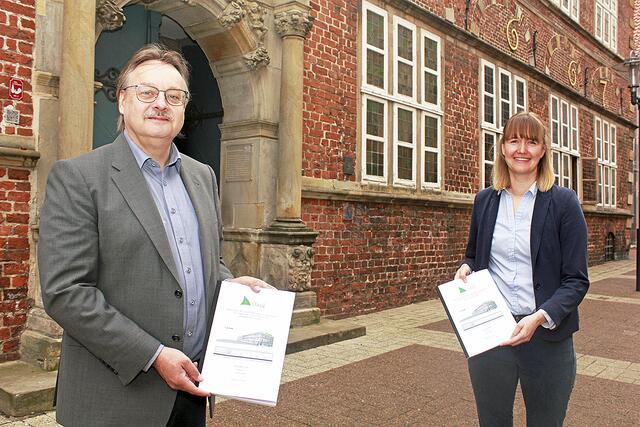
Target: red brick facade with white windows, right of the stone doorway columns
x=413, y=94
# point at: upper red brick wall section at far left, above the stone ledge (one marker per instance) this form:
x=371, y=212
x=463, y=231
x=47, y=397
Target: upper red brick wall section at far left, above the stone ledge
x=17, y=37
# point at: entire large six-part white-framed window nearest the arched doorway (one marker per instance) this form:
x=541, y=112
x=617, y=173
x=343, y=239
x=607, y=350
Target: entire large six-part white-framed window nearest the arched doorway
x=401, y=110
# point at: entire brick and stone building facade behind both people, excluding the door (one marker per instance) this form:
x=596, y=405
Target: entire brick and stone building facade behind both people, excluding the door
x=403, y=102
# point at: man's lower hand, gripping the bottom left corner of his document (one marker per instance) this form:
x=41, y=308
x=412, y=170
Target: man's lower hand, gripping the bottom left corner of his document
x=178, y=371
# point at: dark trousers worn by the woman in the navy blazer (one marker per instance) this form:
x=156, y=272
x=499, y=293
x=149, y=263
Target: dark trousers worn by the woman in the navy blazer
x=546, y=371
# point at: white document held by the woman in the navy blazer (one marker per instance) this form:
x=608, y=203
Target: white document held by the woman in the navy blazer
x=478, y=312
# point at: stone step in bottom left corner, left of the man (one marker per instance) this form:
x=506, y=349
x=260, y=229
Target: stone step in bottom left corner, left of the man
x=25, y=389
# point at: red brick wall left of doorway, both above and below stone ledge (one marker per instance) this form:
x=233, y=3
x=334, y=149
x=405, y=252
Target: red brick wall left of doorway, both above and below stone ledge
x=17, y=37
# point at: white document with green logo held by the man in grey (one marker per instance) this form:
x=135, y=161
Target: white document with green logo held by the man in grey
x=246, y=348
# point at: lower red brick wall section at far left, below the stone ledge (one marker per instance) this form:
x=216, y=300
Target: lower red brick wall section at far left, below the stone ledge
x=15, y=194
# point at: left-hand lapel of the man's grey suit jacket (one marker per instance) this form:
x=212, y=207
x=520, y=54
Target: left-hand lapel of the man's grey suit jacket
x=127, y=176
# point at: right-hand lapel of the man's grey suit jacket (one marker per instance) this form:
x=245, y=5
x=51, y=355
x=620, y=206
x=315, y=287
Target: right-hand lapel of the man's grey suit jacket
x=196, y=190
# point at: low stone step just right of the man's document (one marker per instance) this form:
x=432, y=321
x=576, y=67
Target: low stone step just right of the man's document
x=323, y=333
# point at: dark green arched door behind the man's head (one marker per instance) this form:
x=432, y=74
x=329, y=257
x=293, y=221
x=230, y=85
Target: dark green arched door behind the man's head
x=200, y=136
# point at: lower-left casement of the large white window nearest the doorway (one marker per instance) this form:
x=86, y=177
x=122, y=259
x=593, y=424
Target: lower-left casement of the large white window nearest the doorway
x=374, y=131
